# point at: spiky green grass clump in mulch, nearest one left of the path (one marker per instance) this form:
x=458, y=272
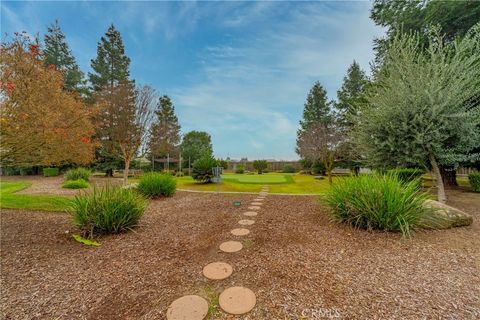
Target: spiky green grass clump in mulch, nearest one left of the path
x=107, y=210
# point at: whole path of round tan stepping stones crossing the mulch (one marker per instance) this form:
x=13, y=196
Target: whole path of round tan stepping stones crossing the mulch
x=234, y=300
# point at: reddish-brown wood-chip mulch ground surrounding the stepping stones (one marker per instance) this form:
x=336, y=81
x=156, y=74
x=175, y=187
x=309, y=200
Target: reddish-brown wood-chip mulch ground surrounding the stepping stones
x=295, y=260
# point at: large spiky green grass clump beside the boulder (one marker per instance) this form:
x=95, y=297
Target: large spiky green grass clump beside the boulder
x=374, y=201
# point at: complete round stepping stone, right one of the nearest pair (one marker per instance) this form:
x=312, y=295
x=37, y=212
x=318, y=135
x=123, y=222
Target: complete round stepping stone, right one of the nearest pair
x=237, y=300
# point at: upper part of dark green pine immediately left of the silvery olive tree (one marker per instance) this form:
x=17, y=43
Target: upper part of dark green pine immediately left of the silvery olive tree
x=351, y=94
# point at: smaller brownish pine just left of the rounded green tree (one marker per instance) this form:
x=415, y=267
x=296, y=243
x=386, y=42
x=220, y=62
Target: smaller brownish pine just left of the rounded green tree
x=165, y=132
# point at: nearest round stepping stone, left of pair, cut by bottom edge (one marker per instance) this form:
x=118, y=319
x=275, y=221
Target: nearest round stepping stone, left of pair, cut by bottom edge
x=188, y=307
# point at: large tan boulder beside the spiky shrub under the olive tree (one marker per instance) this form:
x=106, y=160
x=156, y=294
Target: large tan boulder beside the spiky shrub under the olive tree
x=444, y=216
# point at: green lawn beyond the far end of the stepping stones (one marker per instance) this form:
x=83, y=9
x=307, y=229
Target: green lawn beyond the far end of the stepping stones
x=278, y=183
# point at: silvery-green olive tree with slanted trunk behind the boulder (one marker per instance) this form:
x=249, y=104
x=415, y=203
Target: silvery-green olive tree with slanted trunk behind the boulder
x=423, y=108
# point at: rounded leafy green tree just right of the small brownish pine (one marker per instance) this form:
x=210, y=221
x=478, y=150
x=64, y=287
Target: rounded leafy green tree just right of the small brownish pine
x=195, y=145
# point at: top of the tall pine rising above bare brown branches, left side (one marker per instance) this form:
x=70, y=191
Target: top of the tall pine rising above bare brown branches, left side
x=111, y=66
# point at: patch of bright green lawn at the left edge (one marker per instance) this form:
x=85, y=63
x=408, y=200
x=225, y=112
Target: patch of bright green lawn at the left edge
x=9, y=198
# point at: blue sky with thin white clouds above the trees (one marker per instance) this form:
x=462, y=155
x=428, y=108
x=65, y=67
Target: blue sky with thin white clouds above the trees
x=238, y=70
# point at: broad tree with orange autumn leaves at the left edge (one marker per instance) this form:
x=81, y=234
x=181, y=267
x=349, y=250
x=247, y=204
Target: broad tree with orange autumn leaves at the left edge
x=41, y=124
